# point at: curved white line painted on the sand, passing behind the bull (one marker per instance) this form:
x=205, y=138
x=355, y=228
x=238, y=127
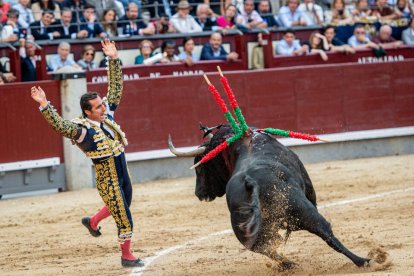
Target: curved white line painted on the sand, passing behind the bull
x=139, y=271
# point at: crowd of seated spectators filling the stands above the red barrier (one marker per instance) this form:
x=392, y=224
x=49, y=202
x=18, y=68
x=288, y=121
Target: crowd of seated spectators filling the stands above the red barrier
x=24, y=22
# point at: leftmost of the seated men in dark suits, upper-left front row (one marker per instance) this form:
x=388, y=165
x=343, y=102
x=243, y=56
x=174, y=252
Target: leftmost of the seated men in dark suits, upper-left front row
x=43, y=29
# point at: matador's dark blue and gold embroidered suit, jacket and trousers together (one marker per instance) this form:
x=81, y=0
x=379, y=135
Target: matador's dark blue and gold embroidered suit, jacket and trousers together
x=105, y=146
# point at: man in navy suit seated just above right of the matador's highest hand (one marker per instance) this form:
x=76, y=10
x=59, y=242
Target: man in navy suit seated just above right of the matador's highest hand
x=132, y=24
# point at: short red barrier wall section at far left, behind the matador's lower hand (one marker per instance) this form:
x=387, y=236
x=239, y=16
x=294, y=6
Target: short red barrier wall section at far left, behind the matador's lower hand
x=25, y=135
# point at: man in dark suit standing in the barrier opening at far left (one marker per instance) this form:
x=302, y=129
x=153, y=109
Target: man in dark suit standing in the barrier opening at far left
x=28, y=60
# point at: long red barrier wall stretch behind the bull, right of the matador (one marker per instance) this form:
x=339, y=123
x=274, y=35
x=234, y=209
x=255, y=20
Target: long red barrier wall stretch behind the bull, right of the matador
x=322, y=99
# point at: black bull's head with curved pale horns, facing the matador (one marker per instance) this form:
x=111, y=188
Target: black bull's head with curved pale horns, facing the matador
x=212, y=176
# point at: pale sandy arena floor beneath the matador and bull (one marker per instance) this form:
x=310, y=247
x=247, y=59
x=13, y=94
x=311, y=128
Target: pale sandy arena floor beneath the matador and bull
x=43, y=235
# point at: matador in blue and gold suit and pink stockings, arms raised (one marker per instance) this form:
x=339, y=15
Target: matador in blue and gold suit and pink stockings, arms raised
x=97, y=134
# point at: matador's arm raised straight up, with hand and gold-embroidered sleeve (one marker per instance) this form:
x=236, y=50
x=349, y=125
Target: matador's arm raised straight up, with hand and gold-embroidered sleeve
x=114, y=74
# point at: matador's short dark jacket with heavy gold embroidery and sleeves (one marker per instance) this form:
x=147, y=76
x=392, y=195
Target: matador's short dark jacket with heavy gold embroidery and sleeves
x=89, y=137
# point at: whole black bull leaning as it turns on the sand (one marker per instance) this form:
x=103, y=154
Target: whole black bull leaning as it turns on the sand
x=267, y=189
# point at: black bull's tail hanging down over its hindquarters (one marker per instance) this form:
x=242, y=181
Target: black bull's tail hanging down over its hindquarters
x=251, y=215
